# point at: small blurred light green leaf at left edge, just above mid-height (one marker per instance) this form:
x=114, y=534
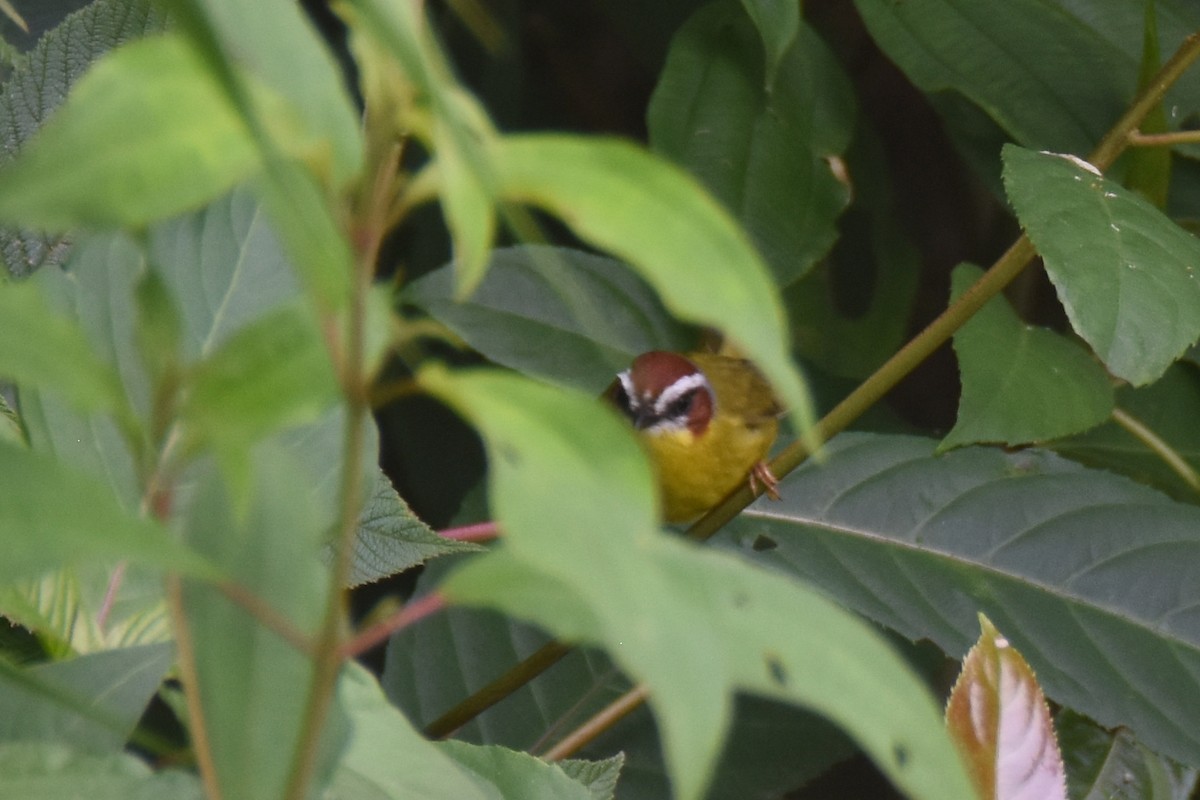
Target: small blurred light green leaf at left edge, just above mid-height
x=43, y=350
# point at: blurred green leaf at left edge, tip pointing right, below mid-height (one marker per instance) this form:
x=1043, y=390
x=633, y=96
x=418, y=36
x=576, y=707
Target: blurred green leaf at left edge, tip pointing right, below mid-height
x=53, y=516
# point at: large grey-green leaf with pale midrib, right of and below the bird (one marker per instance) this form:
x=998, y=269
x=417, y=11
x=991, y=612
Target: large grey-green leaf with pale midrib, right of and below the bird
x=1087, y=573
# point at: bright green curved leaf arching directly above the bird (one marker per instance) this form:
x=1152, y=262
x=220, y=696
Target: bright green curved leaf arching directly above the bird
x=653, y=216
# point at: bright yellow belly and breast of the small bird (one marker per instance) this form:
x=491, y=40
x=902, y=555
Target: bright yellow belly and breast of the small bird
x=697, y=472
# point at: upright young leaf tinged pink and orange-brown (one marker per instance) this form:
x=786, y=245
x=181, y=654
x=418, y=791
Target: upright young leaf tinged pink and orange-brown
x=999, y=718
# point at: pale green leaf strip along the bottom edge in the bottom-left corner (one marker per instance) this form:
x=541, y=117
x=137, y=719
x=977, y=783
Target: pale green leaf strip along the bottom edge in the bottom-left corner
x=53, y=772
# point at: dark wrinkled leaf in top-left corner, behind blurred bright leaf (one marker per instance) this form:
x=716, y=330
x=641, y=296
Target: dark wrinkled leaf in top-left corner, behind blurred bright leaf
x=40, y=82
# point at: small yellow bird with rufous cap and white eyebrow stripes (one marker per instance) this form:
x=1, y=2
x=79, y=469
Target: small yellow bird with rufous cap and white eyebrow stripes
x=707, y=422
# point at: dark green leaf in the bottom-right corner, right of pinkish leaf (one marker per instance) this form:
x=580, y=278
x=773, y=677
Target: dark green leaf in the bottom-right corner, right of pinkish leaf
x=1105, y=765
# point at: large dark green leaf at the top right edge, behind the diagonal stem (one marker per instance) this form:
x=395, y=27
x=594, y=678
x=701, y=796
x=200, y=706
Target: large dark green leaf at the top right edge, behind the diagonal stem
x=1054, y=75
